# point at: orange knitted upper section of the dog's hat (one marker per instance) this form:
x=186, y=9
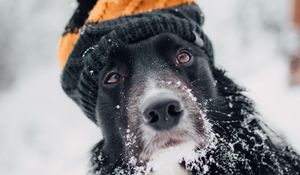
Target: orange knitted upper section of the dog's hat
x=104, y=10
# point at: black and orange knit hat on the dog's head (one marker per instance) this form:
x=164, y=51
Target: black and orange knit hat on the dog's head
x=99, y=26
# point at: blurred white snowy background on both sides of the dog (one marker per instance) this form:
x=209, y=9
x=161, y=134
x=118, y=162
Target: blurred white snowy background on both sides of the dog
x=44, y=132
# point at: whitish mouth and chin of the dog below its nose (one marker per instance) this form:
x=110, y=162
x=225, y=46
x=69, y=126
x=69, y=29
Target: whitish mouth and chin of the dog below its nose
x=182, y=136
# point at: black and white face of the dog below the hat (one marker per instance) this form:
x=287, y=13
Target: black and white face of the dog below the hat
x=152, y=95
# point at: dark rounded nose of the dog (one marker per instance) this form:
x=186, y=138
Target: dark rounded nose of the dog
x=163, y=114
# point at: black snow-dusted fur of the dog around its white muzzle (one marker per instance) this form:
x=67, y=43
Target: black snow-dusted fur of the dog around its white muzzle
x=240, y=143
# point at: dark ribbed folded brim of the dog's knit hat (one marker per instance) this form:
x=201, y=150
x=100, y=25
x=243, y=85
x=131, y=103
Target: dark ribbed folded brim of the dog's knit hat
x=80, y=74
